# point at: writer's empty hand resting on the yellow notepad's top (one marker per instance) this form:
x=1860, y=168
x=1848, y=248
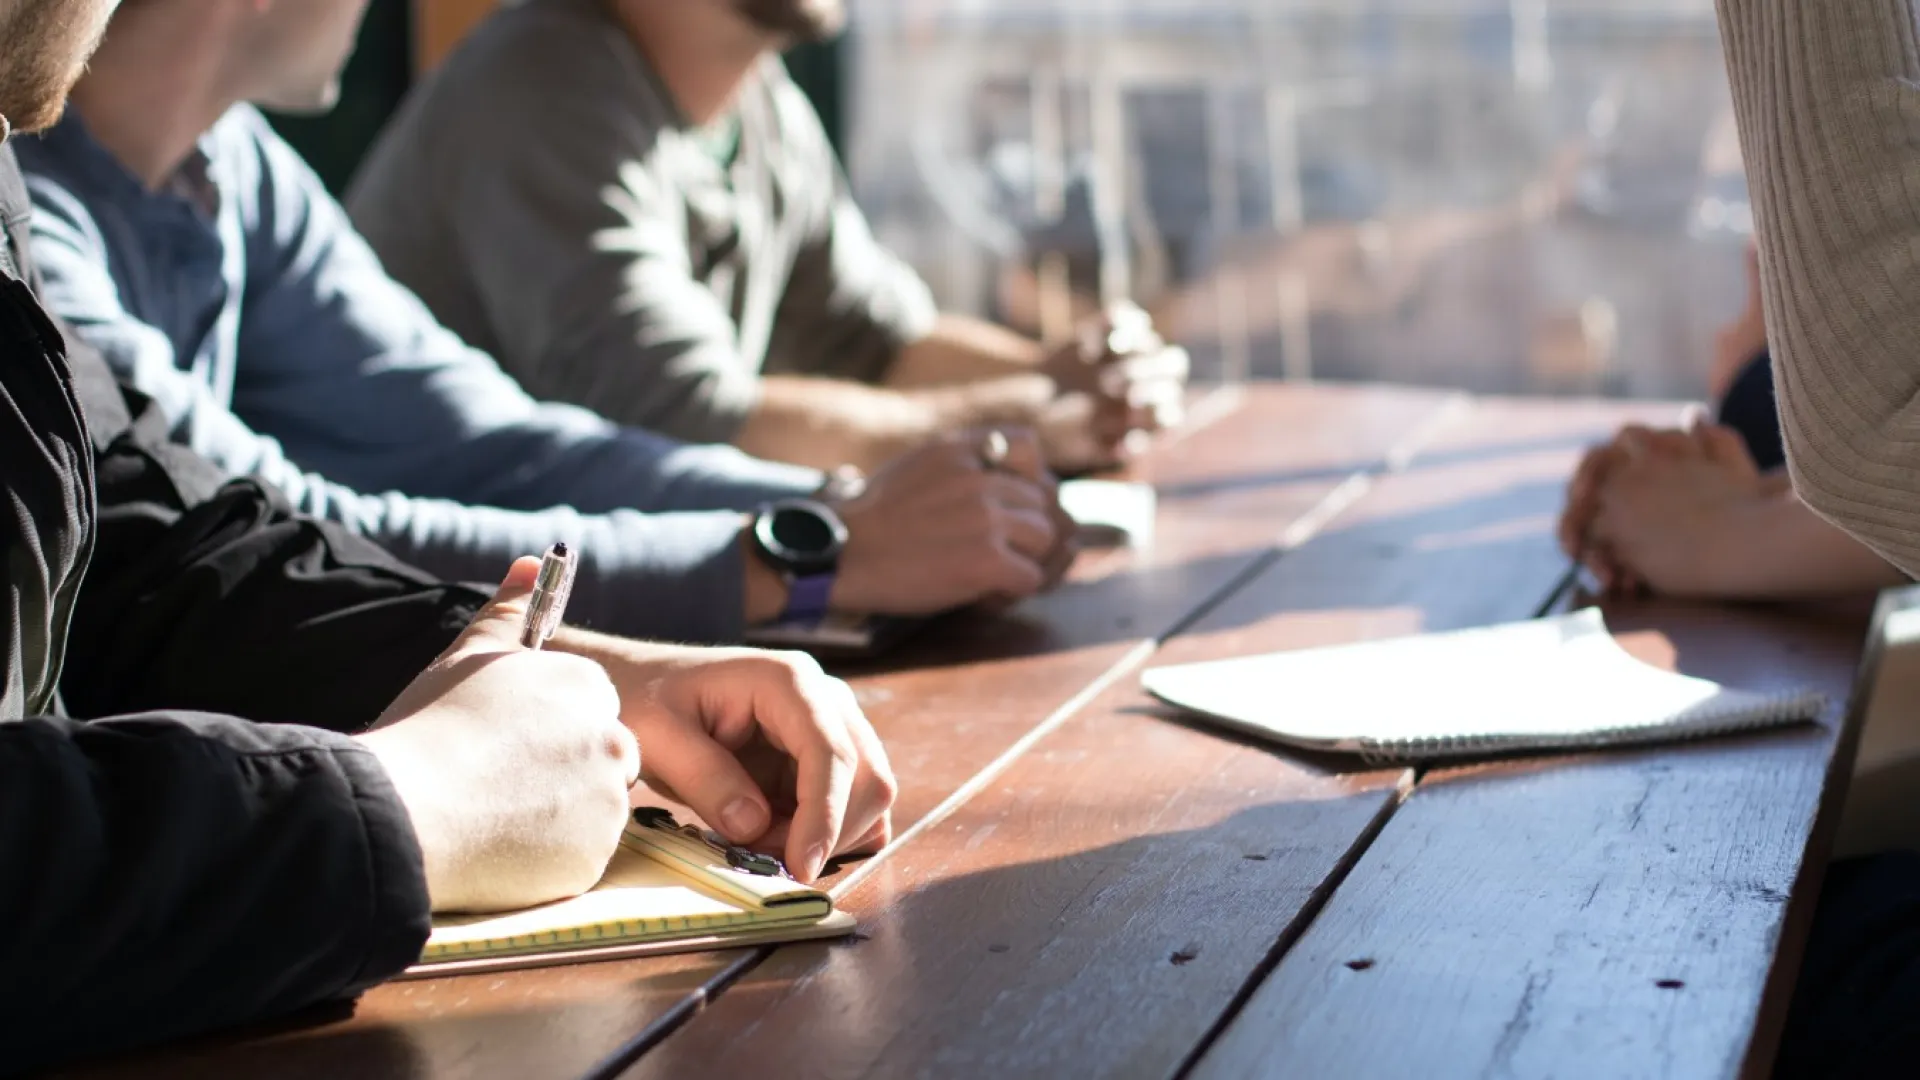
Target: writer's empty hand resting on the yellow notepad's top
x=765, y=749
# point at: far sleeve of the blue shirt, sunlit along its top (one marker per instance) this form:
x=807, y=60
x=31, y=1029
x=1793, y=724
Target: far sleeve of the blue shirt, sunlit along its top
x=383, y=397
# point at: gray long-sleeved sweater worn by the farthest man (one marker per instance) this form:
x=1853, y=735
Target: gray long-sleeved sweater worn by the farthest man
x=571, y=249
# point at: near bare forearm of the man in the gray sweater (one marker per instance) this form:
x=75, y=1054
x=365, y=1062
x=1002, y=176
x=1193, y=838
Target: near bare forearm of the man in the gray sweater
x=828, y=424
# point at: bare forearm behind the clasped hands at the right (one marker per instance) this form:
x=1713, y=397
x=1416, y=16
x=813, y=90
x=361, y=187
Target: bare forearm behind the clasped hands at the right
x=1783, y=551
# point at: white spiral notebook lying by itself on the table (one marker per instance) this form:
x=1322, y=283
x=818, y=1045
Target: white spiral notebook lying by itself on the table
x=1547, y=685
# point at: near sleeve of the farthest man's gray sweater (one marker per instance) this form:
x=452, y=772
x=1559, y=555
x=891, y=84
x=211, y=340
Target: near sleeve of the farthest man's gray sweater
x=565, y=249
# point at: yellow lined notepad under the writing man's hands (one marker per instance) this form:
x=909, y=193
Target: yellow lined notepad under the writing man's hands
x=669, y=889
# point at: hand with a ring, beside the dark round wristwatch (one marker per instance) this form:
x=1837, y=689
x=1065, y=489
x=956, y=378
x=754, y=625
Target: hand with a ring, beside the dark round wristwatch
x=944, y=528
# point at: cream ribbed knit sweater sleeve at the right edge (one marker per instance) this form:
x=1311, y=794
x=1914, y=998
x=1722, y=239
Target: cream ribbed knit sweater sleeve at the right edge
x=1829, y=105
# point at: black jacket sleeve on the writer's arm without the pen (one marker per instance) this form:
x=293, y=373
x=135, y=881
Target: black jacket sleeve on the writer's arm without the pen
x=214, y=595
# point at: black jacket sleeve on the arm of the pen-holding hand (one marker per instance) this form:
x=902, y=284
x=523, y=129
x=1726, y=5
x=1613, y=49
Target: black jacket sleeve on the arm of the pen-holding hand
x=170, y=875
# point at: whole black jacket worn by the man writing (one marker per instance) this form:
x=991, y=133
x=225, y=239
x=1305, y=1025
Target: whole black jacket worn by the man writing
x=172, y=873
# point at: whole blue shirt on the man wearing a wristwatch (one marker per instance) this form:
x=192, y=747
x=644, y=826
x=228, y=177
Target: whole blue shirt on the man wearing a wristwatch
x=241, y=299
